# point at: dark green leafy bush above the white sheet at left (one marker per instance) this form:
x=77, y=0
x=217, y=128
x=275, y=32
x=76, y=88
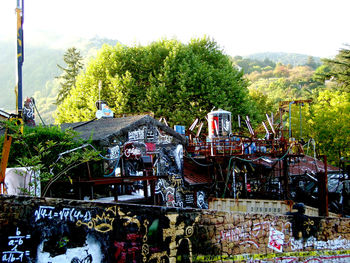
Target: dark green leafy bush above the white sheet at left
x=40, y=148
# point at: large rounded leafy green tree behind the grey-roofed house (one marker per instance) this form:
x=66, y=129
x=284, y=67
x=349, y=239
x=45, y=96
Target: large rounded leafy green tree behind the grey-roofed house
x=171, y=79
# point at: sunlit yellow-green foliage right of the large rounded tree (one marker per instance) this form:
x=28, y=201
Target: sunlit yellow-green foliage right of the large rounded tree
x=327, y=119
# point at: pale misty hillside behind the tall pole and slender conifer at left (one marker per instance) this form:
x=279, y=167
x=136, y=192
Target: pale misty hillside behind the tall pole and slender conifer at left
x=39, y=67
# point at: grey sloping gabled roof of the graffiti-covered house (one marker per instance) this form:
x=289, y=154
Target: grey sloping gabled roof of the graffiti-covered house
x=105, y=129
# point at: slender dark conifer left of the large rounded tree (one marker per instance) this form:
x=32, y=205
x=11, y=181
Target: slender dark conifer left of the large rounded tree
x=73, y=60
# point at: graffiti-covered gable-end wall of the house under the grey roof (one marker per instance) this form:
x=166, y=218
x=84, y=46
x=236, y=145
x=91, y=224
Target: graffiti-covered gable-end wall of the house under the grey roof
x=149, y=151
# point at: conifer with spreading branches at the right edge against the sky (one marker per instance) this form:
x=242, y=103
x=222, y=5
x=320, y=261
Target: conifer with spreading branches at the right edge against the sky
x=340, y=69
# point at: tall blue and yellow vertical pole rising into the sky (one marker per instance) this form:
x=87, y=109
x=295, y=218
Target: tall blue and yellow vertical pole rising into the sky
x=20, y=55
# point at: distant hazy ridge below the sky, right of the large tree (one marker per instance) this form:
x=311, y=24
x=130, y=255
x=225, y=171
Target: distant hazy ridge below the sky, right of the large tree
x=285, y=58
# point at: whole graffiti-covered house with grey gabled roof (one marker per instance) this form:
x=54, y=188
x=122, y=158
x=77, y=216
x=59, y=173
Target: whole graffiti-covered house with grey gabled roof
x=143, y=156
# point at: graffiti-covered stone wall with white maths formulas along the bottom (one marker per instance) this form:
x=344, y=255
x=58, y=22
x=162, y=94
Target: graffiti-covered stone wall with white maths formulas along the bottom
x=53, y=230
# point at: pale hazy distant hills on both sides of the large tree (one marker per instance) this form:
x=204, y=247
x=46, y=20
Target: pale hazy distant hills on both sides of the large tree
x=40, y=69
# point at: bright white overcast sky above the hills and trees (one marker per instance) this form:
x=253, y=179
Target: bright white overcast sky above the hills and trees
x=240, y=27
